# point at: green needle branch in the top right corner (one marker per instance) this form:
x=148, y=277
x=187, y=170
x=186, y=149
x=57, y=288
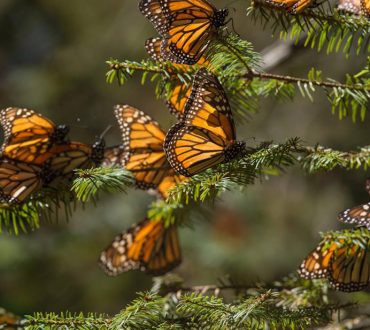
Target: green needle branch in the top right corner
x=333, y=30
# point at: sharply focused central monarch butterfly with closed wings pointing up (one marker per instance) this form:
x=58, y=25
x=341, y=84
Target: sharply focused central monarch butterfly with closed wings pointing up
x=205, y=136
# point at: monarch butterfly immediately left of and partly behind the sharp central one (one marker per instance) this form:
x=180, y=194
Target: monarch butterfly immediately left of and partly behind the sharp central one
x=142, y=151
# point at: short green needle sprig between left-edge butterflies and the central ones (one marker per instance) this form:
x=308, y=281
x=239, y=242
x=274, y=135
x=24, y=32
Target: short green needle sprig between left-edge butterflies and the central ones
x=90, y=182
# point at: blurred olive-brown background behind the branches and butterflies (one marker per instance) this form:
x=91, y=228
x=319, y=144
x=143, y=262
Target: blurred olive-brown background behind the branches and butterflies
x=52, y=59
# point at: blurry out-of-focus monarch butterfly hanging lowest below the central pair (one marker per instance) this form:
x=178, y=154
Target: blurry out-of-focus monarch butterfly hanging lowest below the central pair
x=147, y=246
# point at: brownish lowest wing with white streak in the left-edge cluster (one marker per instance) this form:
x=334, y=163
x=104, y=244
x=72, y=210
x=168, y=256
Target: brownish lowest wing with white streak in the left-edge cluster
x=18, y=181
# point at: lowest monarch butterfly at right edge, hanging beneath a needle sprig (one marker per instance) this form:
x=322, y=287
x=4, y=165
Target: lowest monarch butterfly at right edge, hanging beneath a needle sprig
x=346, y=266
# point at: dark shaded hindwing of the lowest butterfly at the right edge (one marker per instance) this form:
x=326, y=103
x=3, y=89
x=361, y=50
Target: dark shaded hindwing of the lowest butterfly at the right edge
x=350, y=268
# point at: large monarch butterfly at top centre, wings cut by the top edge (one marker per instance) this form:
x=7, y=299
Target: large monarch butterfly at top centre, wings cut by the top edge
x=186, y=26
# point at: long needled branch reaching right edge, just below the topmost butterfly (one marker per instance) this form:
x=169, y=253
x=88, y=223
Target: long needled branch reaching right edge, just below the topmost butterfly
x=245, y=83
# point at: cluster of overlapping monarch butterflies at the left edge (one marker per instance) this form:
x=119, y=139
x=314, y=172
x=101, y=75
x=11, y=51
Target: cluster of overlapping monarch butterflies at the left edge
x=36, y=154
